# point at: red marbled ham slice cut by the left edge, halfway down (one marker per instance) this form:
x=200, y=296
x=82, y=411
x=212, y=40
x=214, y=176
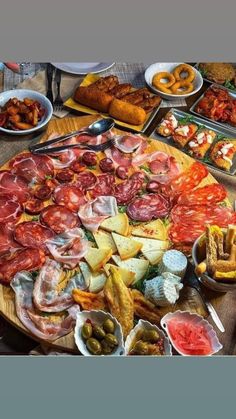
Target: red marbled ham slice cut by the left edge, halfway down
x=10, y=209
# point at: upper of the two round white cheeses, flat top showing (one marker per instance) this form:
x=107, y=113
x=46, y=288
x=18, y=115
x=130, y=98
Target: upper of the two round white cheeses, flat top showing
x=174, y=262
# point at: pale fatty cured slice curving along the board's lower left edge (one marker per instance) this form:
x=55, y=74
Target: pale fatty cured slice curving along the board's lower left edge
x=43, y=327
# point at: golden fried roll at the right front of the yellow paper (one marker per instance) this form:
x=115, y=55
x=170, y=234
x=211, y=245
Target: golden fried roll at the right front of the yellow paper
x=127, y=112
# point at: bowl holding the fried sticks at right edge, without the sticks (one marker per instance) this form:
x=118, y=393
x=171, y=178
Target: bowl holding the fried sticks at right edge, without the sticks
x=206, y=279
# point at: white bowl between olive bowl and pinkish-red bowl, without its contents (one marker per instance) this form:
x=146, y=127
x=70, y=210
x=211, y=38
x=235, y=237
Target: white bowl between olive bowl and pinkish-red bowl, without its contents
x=143, y=324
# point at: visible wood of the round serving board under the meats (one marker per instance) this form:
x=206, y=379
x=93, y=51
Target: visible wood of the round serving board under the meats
x=66, y=343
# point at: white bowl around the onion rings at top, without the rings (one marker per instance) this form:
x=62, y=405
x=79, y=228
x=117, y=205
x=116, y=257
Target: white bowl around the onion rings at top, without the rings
x=169, y=67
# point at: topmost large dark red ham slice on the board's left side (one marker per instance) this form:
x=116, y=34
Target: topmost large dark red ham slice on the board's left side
x=32, y=167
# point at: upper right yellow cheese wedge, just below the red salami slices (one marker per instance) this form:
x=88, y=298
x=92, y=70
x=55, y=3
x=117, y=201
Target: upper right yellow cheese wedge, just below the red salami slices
x=153, y=230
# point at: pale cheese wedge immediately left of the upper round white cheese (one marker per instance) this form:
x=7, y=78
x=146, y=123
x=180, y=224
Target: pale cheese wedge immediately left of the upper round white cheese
x=153, y=249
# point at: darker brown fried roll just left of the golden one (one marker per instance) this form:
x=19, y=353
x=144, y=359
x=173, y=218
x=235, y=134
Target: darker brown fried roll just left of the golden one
x=93, y=98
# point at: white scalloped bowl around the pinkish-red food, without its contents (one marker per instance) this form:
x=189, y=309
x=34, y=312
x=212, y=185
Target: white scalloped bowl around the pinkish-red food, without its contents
x=195, y=319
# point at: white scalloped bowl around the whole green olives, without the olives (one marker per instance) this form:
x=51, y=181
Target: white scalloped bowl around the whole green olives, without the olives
x=98, y=317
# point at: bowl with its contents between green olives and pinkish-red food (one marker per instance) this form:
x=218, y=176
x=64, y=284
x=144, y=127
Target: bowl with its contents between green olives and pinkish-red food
x=147, y=339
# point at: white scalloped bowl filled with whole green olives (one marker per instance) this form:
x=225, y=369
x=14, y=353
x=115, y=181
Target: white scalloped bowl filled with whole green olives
x=98, y=333
